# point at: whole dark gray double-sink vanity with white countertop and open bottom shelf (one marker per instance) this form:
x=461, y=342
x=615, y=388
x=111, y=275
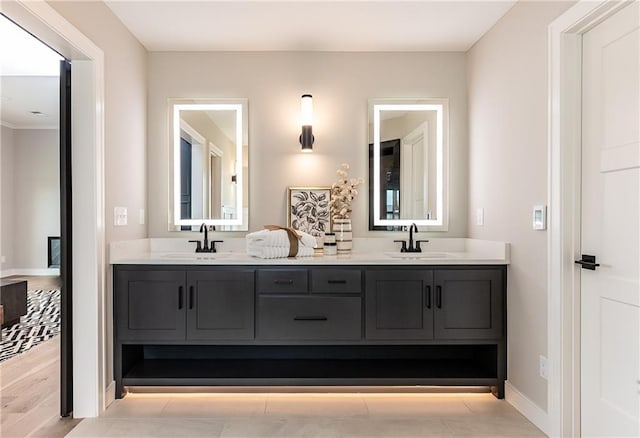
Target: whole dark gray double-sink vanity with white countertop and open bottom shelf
x=371, y=319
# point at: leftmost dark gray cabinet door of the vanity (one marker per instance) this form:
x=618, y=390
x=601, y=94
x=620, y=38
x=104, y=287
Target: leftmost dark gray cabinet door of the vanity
x=150, y=305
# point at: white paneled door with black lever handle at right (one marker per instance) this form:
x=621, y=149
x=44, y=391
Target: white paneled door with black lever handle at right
x=610, y=294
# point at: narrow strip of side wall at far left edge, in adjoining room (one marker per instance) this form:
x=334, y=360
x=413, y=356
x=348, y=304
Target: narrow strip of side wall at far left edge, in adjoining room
x=7, y=196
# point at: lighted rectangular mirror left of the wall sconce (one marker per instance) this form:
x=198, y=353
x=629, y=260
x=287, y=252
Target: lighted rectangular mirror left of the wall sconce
x=209, y=164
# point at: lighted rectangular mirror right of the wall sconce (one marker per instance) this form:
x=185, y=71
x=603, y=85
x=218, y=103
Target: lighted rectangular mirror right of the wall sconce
x=408, y=163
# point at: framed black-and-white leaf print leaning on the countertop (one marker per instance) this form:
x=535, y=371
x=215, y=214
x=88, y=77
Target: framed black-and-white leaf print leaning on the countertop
x=308, y=209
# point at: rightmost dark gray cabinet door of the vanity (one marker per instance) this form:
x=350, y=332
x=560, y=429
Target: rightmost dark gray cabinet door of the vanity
x=469, y=304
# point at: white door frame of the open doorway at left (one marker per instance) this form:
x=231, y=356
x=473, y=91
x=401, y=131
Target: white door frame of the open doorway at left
x=90, y=394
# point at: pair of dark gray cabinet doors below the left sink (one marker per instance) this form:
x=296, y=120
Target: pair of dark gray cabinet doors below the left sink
x=173, y=305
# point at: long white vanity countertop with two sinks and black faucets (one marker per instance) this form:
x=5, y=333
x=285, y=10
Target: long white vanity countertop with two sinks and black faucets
x=367, y=251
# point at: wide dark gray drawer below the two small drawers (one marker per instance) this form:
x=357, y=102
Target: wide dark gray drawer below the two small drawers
x=309, y=318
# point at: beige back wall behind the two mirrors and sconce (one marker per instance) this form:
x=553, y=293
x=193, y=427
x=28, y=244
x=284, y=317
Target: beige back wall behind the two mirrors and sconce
x=341, y=84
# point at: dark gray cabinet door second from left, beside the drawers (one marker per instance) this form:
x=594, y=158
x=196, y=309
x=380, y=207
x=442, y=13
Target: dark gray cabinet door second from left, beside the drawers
x=220, y=305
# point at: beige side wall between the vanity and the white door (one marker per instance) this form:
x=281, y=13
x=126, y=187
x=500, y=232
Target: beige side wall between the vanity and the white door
x=508, y=172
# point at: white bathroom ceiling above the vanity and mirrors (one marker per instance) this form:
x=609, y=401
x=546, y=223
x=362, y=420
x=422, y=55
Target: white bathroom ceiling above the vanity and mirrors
x=308, y=25
